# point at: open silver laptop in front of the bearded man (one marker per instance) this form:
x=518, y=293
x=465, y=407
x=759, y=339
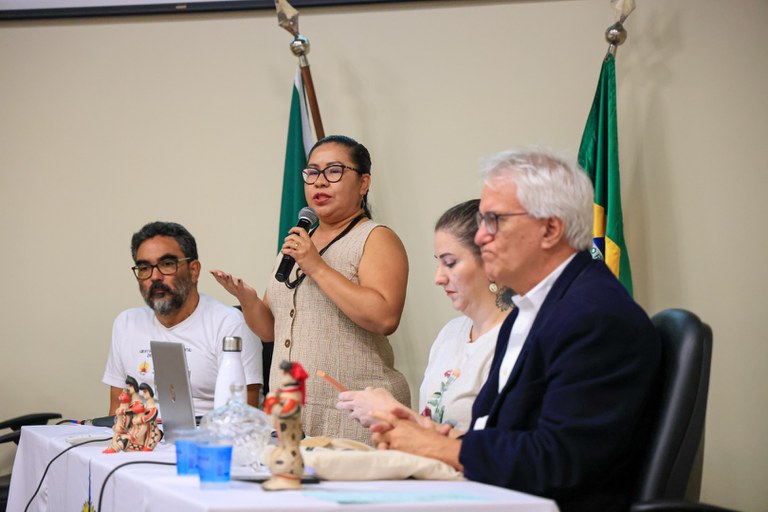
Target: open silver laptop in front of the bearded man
x=174, y=393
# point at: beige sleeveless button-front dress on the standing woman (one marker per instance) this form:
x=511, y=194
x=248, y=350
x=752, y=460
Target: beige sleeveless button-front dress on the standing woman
x=311, y=330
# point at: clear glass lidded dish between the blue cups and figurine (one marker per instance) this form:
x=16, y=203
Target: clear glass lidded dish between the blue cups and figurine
x=249, y=428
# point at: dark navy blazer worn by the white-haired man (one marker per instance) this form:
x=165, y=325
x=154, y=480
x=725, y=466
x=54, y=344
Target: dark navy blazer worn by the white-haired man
x=571, y=421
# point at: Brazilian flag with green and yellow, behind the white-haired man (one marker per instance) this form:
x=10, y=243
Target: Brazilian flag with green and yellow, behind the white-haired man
x=599, y=157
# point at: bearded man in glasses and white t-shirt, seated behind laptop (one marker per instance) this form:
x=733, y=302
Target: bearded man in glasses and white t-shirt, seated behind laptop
x=167, y=270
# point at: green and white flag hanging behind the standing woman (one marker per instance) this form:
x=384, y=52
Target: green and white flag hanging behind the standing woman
x=296, y=151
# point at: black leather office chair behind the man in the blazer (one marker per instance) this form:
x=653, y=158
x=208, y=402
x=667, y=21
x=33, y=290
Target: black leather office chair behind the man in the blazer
x=671, y=476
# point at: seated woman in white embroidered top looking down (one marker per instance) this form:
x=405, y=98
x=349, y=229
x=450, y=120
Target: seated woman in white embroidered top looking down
x=460, y=358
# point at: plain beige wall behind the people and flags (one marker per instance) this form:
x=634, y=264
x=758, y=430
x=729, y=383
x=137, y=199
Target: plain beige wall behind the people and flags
x=106, y=124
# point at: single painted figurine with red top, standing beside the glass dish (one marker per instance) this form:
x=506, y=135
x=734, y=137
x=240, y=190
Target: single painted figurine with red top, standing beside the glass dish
x=284, y=404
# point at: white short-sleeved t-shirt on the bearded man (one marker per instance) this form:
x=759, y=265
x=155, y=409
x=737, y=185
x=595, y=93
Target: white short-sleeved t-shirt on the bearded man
x=202, y=334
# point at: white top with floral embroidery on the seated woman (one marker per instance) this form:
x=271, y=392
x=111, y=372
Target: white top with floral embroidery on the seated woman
x=456, y=371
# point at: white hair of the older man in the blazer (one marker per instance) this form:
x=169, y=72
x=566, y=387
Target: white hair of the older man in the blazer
x=548, y=185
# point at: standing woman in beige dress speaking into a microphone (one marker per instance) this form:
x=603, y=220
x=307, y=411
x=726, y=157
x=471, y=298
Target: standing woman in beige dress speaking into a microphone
x=345, y=294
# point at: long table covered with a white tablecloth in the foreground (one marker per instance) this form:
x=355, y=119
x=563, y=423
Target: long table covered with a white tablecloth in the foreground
x=75, y=479
